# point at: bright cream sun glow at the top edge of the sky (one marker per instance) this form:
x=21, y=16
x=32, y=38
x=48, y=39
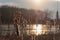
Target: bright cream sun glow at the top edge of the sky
x=37, y=4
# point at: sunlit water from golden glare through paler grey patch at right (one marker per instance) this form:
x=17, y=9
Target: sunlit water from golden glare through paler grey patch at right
x=39, y=29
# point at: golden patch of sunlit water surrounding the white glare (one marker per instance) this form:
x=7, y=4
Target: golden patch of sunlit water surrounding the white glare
x=37, y=29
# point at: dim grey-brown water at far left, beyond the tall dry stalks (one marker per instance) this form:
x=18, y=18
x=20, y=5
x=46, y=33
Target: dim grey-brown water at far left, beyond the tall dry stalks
x=4, y=29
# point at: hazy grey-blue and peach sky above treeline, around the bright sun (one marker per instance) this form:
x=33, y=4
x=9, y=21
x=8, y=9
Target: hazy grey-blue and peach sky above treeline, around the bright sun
x=47, y=4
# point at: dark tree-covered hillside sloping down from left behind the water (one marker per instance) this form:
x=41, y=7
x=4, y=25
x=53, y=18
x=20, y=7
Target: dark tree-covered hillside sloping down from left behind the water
x=7, y=14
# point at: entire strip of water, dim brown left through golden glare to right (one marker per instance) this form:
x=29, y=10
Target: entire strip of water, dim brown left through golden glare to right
x=35, y=29
